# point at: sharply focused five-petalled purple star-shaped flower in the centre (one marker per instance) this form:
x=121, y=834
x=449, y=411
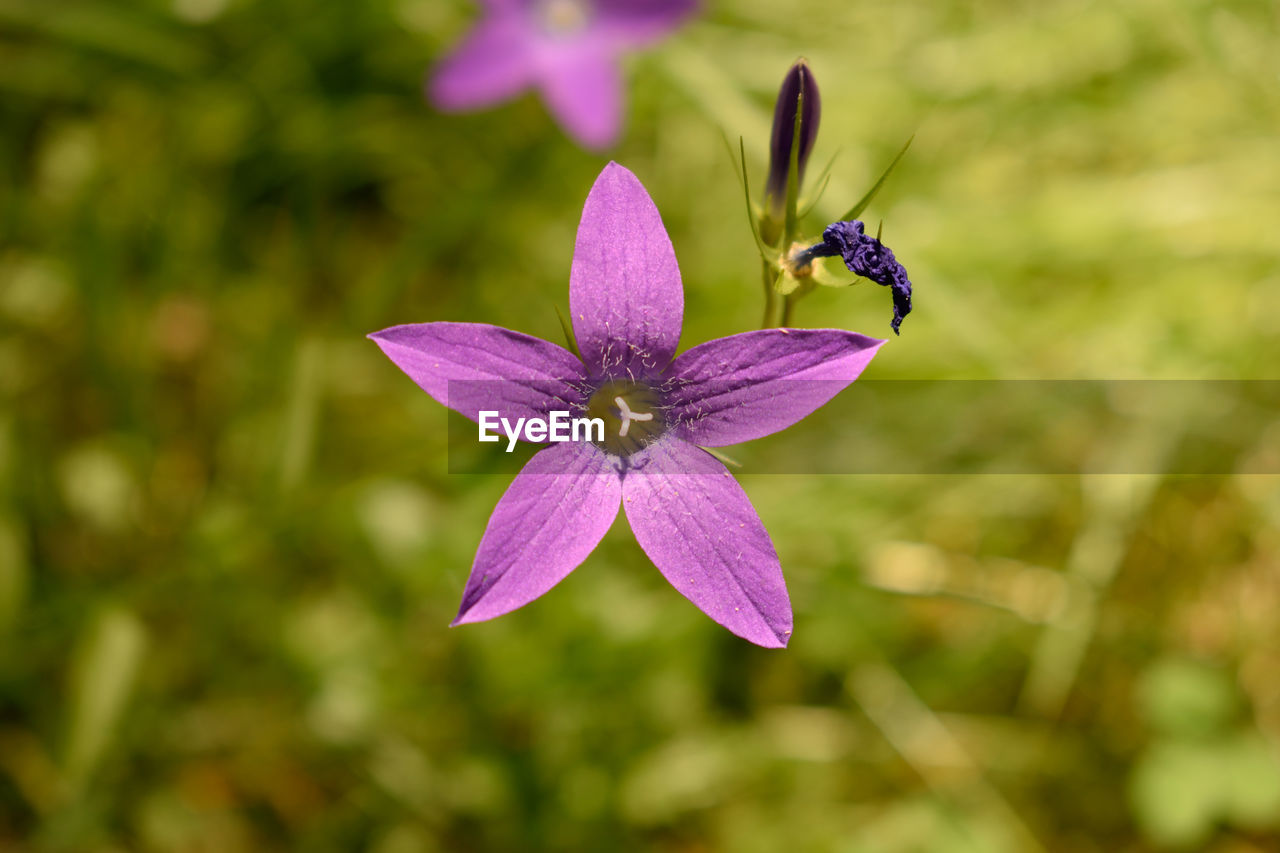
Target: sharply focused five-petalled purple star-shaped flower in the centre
x=688, y=514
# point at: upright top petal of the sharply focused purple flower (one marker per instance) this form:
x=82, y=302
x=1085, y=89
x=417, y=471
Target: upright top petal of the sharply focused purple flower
x=625, y=291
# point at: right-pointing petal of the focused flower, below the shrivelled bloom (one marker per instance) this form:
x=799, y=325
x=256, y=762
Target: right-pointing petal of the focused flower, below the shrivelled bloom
x=747, y=386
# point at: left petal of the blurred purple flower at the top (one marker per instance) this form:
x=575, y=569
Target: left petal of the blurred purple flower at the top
x=493, y=63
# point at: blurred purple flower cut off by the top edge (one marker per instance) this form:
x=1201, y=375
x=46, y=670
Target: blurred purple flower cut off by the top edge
x=568, y=49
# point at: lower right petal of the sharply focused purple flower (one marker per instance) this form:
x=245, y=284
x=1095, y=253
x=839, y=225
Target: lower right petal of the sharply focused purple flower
x=702, y=532
